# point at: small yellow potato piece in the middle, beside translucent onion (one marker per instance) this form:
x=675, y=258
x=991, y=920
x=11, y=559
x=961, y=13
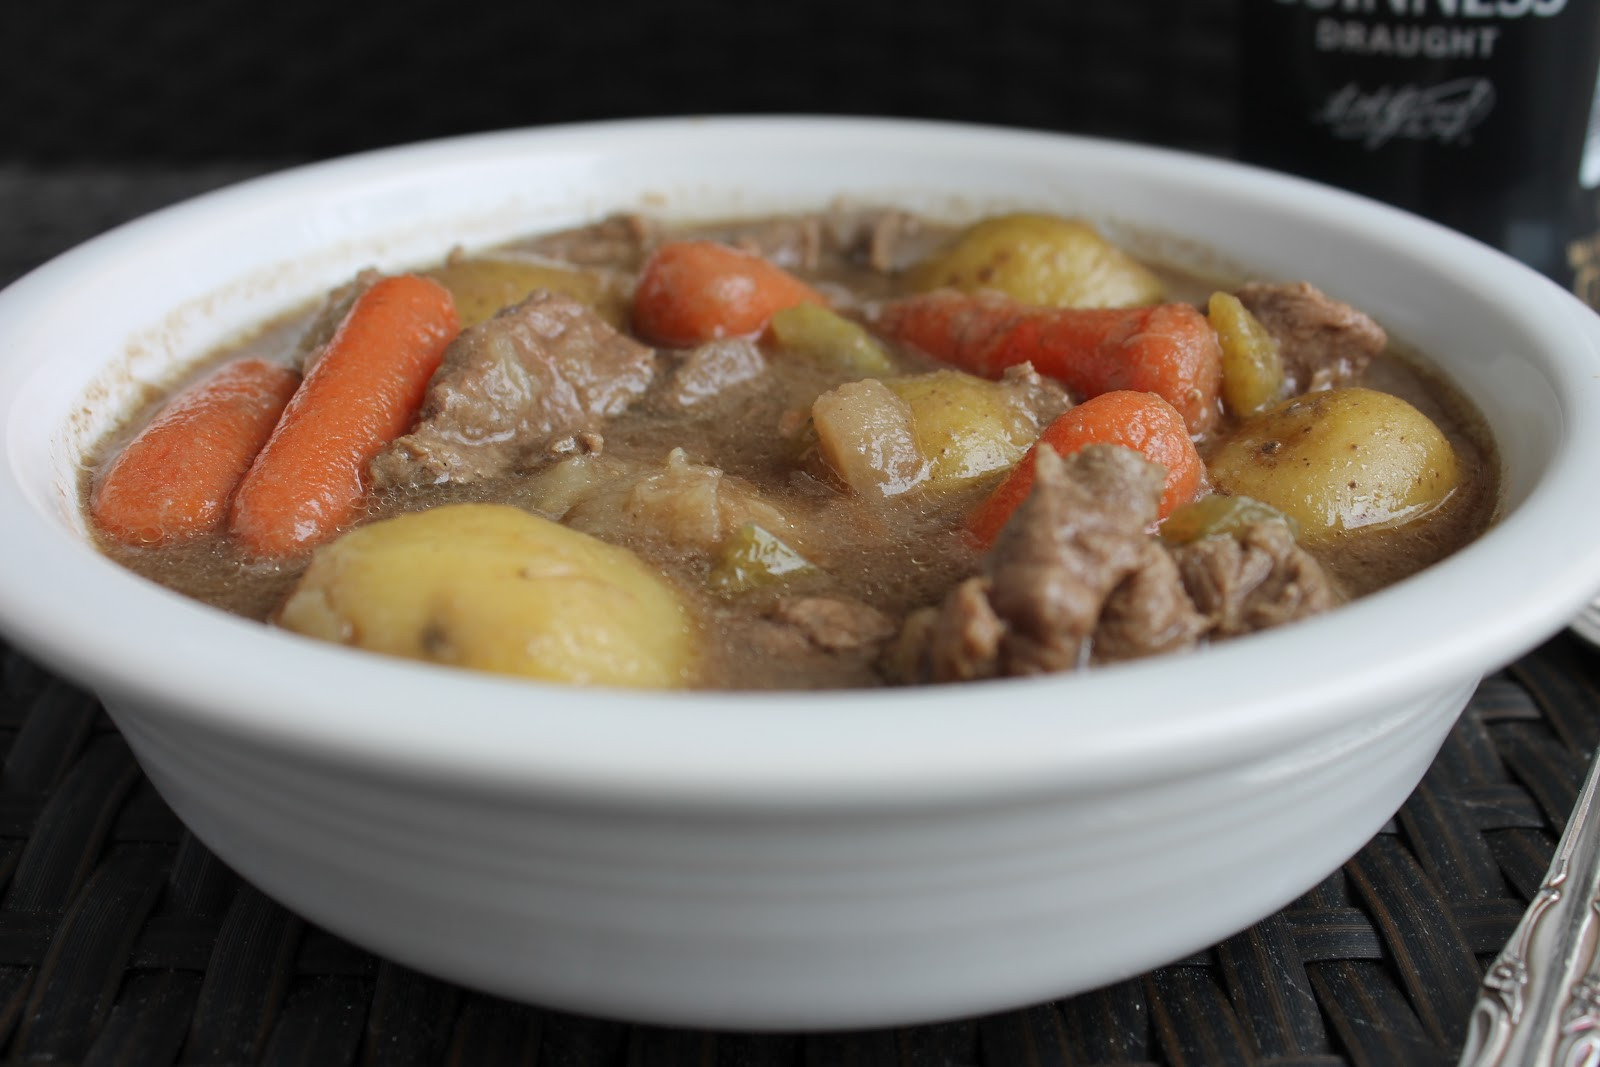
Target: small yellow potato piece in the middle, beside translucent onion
x=966, y=426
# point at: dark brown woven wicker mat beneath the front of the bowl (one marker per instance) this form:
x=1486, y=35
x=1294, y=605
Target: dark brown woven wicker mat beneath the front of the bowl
x=124, y=941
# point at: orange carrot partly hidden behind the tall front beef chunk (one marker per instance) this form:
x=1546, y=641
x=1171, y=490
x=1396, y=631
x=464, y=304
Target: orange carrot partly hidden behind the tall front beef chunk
x=1134, y=420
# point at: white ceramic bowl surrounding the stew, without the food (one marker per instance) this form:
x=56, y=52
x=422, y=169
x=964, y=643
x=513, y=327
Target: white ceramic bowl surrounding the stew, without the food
x=788, y=860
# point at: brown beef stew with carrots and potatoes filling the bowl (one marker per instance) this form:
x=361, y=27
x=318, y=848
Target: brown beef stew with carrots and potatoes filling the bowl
x=812, y=450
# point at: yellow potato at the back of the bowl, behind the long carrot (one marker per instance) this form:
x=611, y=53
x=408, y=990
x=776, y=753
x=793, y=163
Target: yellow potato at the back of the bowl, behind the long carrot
x=1041, y=260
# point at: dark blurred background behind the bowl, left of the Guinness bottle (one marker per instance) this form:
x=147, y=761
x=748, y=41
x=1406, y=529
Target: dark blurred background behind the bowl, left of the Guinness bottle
x=177, y=82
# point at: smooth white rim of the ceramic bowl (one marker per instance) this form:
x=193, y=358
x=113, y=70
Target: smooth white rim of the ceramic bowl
x=1489, y=604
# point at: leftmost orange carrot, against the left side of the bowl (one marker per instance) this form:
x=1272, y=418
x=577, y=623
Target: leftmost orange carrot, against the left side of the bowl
x=175, y=479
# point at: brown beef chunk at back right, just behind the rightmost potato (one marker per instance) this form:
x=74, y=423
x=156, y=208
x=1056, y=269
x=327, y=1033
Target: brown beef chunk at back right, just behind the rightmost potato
x=1326, y=343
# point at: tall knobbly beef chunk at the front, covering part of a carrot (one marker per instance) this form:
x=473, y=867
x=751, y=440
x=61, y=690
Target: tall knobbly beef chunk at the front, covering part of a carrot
x=1074, y=554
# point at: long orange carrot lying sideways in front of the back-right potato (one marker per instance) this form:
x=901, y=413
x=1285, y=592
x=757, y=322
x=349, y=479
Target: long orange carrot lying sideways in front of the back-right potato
x=1169, y=350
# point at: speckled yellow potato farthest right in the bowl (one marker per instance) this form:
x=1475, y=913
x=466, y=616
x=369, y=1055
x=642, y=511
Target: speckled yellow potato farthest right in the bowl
x=1340, y=462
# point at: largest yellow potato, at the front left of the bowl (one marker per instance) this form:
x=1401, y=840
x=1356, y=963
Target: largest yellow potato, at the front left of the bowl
x=494, y=588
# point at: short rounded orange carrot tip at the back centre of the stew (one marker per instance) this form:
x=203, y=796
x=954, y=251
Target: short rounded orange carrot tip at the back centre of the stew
x=697, y=292
